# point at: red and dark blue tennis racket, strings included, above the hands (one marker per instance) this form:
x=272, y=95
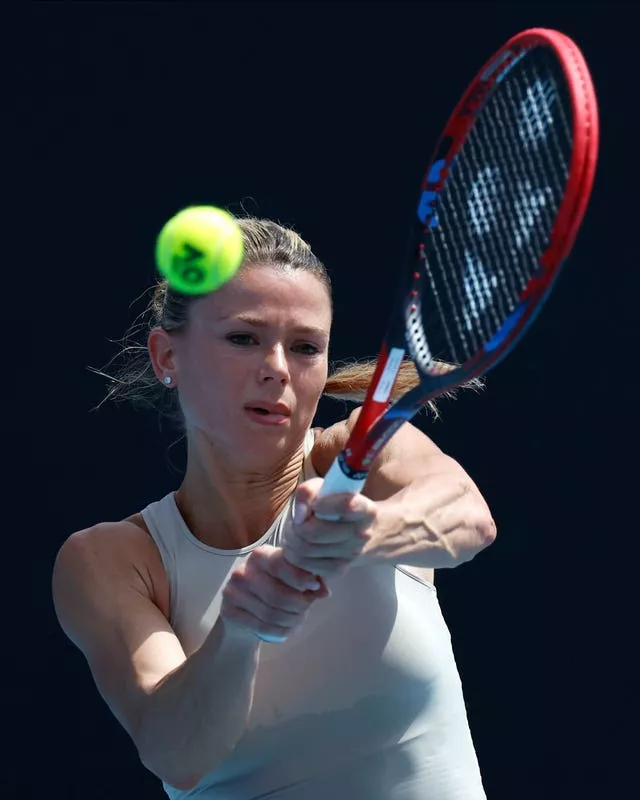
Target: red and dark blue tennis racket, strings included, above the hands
x=498, y=212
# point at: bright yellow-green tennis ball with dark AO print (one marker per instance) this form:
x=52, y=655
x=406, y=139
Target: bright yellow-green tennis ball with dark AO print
x=199, y=249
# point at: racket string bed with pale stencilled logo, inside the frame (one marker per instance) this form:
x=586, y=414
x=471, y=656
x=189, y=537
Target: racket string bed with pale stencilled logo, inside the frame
x=494, y=217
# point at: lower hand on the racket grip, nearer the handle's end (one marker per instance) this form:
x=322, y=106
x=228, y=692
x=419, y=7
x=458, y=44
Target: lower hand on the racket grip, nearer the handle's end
x=269, y=597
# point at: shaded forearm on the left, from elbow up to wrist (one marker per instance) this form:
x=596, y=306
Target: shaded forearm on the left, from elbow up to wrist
x=196, y=715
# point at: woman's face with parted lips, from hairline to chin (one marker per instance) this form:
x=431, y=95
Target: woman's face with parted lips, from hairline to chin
x=252, y=361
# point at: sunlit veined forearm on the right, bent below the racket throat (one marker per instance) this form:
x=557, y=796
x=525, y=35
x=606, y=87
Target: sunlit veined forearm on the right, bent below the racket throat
x=434, y=522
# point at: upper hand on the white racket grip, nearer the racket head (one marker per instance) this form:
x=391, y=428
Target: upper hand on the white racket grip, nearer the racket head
x=327, y=548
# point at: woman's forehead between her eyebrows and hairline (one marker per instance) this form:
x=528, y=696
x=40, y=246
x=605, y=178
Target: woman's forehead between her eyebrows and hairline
x=269, y=291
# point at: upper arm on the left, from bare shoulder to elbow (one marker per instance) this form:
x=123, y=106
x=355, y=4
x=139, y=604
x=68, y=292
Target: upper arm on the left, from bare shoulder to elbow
x=104, y=605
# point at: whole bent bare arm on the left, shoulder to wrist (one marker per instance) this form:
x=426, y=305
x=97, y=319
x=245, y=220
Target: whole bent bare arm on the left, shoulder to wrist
x=179, y=711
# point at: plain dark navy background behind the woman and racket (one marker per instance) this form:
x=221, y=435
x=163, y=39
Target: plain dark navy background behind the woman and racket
x=323, y=116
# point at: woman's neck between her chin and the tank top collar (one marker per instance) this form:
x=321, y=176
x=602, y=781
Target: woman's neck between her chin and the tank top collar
x=230, y=508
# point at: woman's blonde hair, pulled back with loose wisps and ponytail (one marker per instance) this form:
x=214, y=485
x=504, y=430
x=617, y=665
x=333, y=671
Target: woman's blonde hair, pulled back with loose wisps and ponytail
x=131, y=375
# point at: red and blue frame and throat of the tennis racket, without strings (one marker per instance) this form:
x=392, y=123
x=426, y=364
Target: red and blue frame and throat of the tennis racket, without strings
x=377, y=422
